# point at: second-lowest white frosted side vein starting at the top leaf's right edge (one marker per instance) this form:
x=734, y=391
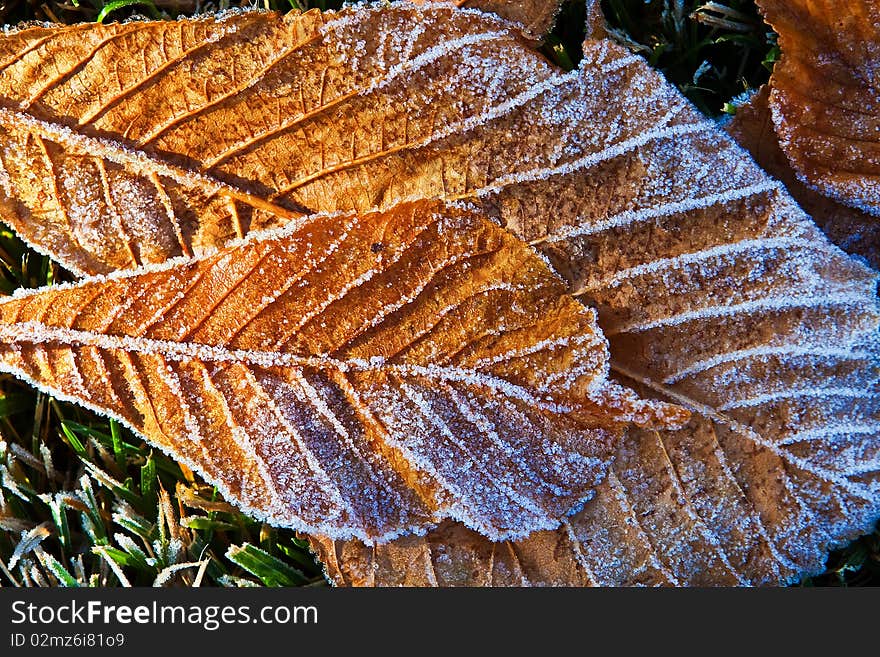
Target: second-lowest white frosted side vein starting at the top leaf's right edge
x=679, y=262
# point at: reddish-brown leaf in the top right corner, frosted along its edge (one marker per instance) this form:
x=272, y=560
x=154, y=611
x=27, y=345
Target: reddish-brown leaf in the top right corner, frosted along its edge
x=825, y=95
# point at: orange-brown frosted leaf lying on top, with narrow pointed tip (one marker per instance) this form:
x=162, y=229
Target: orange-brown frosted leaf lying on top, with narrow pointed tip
x=352, y=375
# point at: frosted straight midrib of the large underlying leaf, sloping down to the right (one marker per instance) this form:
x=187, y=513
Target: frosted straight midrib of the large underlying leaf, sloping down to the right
x=747, y=432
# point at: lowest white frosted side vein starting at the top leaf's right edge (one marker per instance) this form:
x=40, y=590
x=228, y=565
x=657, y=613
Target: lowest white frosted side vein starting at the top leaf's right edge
x=769, y=304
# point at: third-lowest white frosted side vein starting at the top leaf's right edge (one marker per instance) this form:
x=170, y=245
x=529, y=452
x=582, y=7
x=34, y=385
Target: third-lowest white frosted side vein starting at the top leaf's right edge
x=630, y=217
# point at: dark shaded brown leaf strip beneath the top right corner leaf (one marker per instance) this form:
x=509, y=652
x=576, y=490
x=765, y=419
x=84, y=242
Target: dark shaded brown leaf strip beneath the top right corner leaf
x=852, y=230
